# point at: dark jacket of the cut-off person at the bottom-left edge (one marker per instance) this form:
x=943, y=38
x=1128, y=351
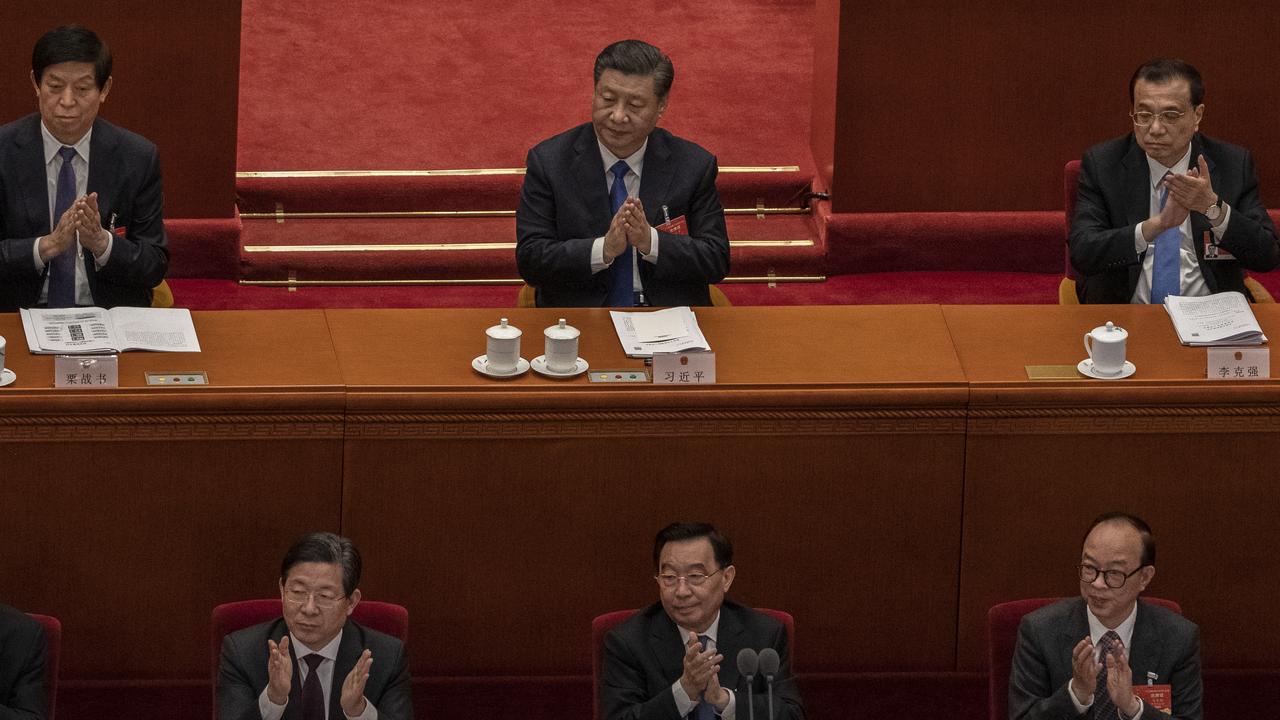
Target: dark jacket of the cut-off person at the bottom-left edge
x=22, y=667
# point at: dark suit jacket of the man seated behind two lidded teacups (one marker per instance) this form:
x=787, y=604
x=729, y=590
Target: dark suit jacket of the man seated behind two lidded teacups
x=565, y=207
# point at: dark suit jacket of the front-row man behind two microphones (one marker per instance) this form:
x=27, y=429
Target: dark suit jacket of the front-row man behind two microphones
x=644, y=657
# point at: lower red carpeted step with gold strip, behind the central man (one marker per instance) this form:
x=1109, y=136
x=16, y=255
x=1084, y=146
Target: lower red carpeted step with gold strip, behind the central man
x=476, y=249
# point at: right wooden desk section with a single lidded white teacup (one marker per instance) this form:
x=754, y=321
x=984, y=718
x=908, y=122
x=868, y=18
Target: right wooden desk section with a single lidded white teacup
x=1195, y=458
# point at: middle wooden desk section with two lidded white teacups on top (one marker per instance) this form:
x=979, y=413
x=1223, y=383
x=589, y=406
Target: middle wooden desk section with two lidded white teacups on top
x=509, y=513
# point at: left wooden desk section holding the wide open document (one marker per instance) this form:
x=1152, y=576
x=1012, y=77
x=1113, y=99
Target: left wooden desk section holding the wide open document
x=131, y=513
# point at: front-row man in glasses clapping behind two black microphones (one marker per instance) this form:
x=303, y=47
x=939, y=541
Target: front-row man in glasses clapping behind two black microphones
x=669, y=660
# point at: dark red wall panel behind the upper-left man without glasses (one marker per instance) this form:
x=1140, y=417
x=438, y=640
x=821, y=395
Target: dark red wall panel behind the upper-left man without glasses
x=177, y=80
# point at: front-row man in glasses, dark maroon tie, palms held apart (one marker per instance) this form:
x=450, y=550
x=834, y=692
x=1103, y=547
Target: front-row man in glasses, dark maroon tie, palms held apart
x=316, y=663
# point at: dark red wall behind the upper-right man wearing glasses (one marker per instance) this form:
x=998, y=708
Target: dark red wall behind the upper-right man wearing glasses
x=979, y=106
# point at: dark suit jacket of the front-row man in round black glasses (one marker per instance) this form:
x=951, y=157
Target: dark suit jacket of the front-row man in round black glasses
x=1163, y=642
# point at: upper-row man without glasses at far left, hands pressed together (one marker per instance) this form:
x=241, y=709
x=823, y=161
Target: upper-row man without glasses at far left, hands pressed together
x=81, y=203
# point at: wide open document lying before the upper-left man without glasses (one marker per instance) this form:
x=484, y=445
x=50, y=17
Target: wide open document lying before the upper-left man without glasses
x=120, y=330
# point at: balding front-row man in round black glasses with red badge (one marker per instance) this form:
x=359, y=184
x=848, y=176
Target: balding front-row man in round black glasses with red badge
x=1082, y=658
